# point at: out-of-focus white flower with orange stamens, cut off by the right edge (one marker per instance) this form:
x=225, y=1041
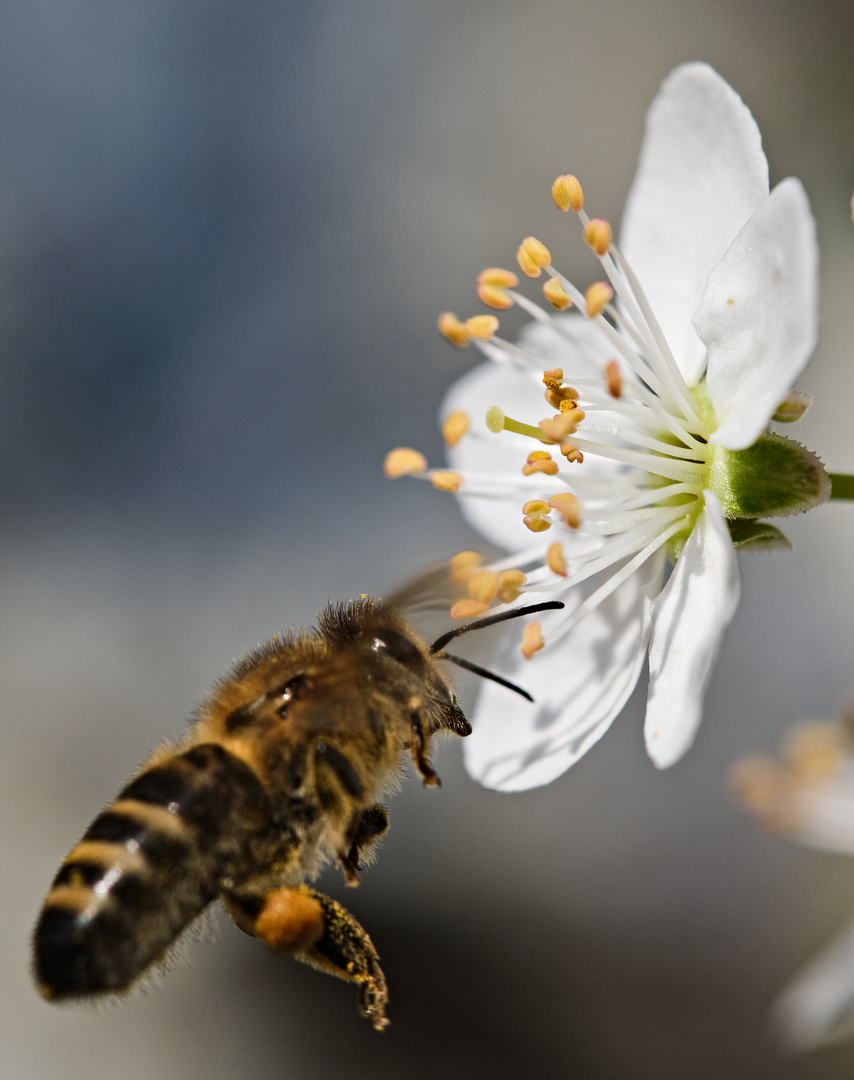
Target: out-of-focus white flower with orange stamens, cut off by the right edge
x=809, y=795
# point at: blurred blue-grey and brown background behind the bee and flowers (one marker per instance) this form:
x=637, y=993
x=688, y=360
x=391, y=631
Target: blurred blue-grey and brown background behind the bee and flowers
x=226, y=232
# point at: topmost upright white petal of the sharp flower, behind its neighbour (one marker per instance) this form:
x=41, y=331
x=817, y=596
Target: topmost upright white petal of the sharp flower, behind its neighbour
x=701, y=175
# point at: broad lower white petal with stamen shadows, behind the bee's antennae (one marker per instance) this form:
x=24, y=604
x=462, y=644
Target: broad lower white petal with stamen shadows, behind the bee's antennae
x=579, y=687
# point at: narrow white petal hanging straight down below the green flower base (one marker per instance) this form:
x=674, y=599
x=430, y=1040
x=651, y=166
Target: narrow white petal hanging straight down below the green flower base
x=688, y=623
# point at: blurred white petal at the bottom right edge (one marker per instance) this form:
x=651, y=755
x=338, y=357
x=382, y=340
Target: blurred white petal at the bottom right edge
x=819, y=1007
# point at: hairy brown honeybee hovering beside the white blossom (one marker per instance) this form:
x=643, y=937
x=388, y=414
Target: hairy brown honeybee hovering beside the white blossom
x=282, y=773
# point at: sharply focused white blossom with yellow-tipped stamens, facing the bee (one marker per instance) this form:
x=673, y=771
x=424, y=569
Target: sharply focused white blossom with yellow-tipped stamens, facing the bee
x=667, y=396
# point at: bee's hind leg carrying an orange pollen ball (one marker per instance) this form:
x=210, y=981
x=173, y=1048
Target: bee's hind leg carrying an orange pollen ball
x=318, y=930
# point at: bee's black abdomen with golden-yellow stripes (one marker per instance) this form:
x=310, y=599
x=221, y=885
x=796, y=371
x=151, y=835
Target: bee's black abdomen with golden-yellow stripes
x=145, y=870
